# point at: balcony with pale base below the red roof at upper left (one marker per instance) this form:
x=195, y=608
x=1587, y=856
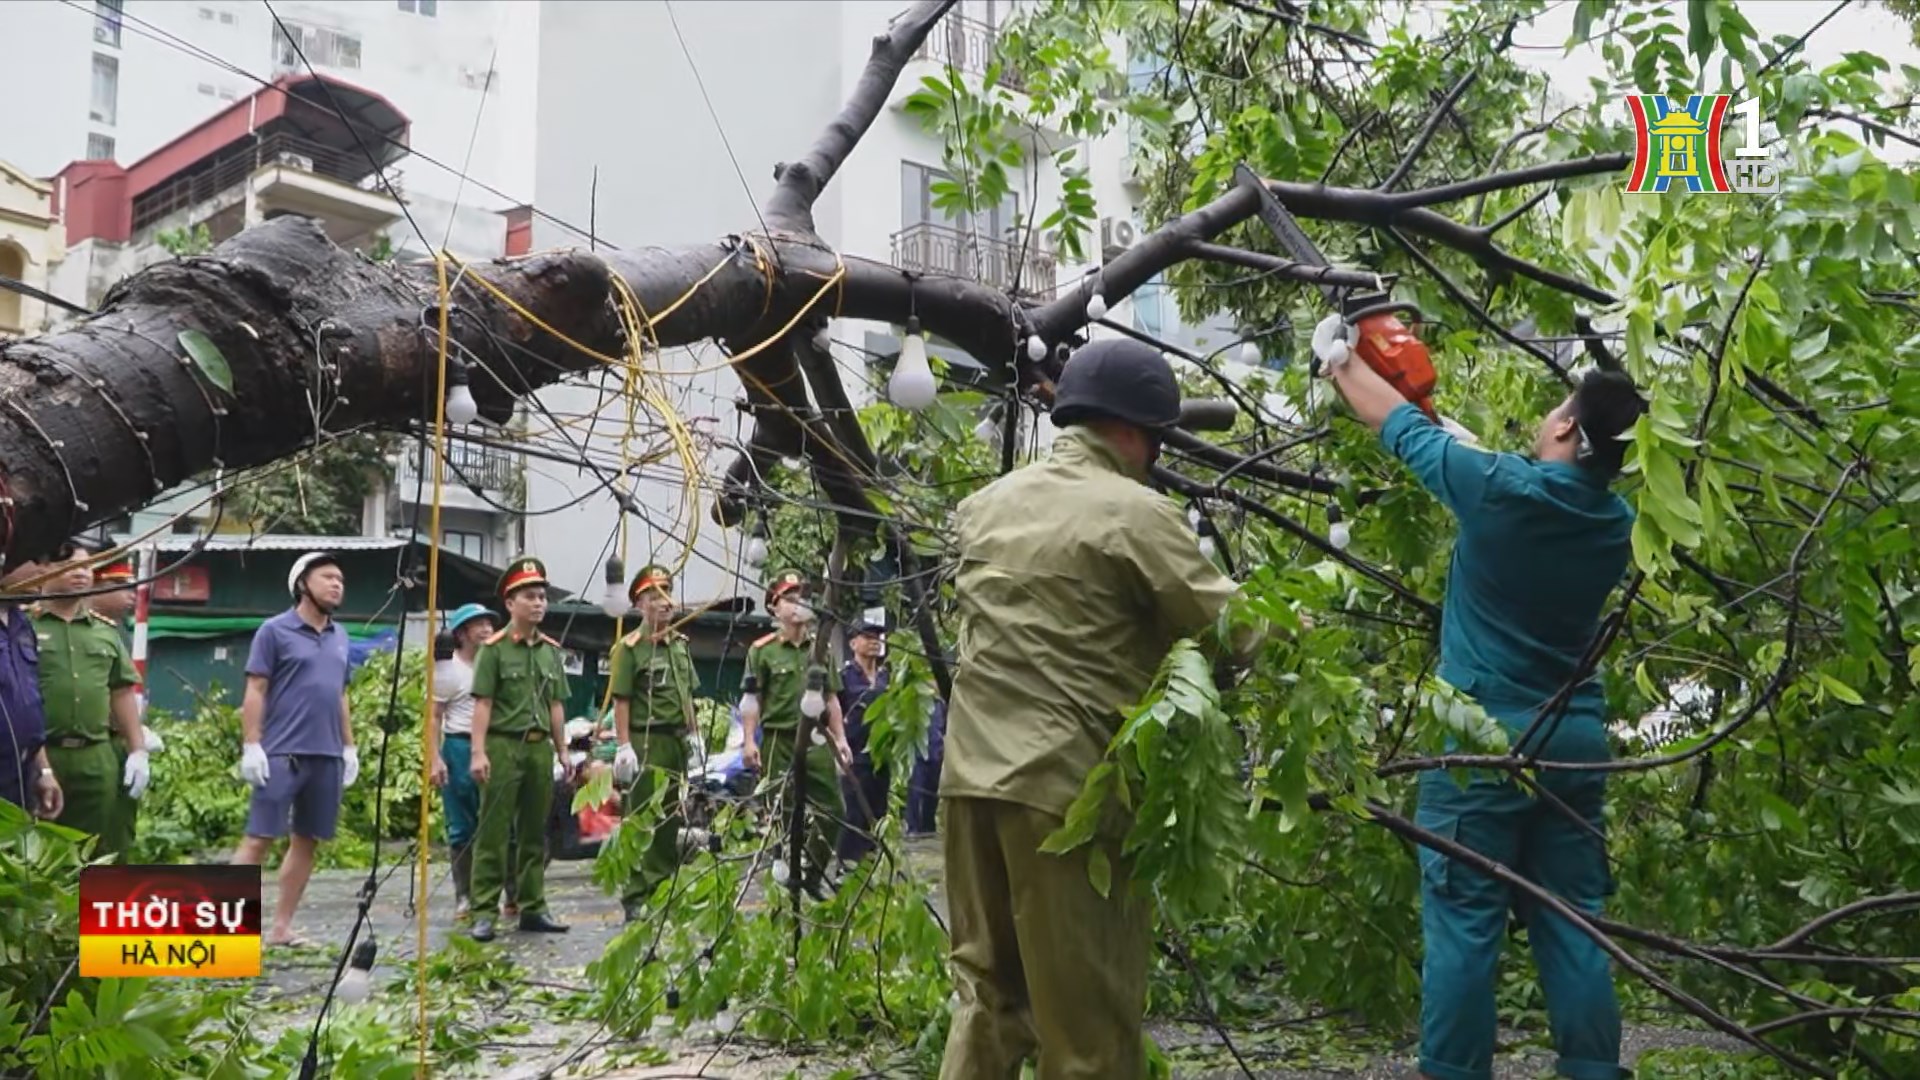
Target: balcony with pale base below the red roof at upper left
x=272, y=176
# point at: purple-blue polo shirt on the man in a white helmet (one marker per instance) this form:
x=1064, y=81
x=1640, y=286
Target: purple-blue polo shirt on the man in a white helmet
x=306, y=677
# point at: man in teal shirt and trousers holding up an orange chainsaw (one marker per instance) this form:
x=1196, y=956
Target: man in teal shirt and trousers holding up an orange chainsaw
x=1541, y=547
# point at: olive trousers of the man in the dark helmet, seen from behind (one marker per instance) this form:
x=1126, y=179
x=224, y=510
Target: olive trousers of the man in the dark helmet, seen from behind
x=1044, y=964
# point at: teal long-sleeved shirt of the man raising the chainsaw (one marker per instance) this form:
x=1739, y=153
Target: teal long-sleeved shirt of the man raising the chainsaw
x=1541, y=547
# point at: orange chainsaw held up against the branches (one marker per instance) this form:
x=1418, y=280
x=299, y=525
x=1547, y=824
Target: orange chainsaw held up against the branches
x=1370, y=322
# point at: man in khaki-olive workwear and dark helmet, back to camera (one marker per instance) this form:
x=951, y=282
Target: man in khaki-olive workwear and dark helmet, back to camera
x=1074, y=581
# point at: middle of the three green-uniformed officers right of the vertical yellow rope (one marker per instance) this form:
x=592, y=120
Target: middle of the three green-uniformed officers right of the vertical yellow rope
x=652, y=691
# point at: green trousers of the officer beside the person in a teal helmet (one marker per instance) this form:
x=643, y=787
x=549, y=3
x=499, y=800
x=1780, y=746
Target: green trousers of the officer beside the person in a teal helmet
x=516, y=800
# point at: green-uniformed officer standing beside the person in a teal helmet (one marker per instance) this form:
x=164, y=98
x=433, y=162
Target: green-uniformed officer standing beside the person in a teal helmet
x=519, y=739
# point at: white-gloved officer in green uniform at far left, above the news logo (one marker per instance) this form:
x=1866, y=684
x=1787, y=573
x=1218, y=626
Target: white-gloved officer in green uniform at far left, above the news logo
x=87, y=683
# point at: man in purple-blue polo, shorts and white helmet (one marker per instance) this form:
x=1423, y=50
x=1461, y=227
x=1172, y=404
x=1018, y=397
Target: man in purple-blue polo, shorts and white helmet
x=299, y=752
